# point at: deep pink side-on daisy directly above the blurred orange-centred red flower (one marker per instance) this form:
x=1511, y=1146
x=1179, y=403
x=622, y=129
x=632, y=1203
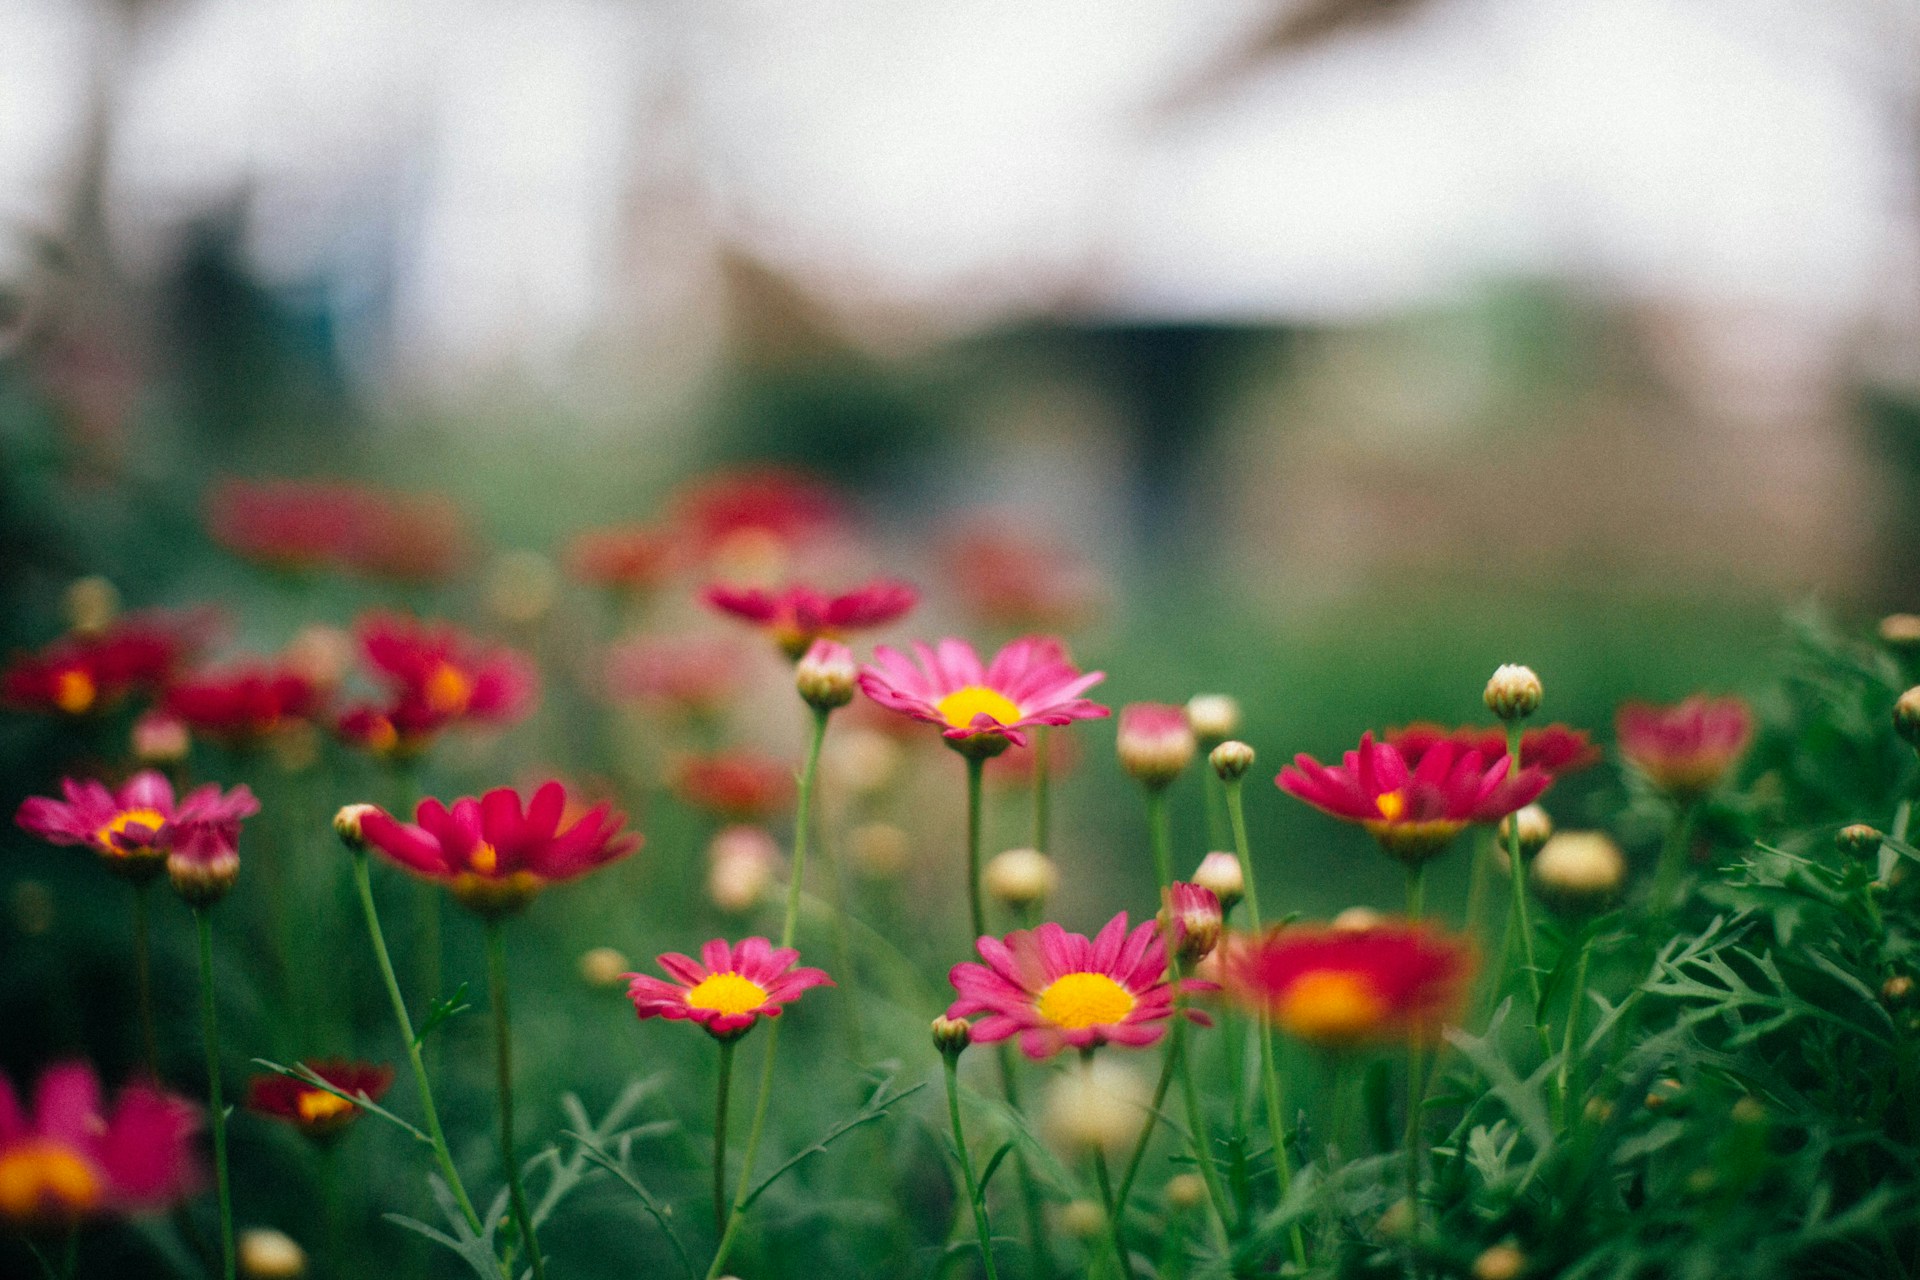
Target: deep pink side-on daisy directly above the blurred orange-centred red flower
x=1414, y=813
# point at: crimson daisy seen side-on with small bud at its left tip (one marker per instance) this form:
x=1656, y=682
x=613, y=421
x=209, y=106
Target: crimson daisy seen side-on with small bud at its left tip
x=496, y=857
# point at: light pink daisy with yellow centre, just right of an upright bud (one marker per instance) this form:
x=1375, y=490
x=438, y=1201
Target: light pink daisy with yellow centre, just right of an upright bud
x=982, y=709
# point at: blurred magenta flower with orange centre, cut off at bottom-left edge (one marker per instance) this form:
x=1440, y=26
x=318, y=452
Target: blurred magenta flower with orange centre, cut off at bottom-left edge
x=70, y=1160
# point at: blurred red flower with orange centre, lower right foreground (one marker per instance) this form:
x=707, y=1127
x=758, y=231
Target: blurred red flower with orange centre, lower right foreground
x=1343, y=987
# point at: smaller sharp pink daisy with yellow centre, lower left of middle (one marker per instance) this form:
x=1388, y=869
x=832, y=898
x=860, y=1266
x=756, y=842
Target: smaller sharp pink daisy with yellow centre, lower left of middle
x=729, y=989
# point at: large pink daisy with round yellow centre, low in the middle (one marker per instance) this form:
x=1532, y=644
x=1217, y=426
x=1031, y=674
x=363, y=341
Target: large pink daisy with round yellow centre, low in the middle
x=1059, y=991
